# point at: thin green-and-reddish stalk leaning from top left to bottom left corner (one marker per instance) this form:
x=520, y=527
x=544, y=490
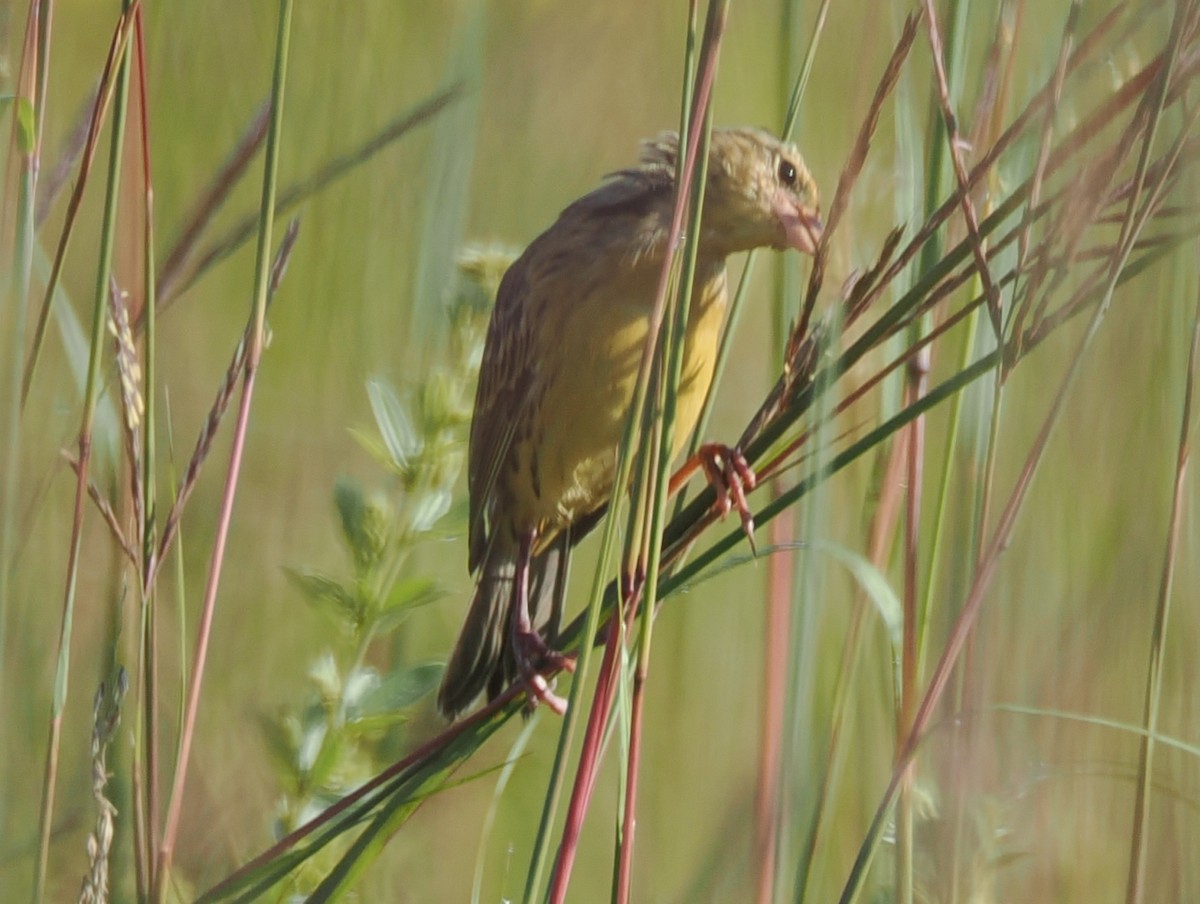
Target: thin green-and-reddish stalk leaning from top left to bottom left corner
x=92, y=392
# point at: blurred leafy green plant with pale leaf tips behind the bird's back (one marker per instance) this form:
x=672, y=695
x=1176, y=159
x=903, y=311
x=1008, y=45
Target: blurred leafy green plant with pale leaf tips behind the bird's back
x=356, y=711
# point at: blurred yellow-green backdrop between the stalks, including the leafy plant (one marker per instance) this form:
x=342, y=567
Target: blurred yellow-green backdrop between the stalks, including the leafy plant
x=557, y=93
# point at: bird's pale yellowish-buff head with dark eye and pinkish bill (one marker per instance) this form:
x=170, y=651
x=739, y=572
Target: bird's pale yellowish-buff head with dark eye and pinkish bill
x=760, y=193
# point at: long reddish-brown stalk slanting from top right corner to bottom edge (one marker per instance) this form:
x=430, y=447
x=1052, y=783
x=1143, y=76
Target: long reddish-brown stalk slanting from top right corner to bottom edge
x=1135, y=220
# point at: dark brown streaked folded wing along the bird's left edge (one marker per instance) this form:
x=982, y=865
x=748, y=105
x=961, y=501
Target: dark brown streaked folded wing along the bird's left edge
x=506, y=380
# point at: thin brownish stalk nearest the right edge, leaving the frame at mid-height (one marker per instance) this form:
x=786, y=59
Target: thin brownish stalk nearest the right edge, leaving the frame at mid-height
x=1136, y=890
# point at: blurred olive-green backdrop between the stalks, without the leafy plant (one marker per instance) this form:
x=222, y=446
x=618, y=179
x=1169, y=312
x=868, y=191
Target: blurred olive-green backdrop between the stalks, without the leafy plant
x=563, y=92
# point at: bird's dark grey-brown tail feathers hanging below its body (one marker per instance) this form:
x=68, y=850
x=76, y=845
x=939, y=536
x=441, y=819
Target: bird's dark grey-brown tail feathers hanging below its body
x=483, y=658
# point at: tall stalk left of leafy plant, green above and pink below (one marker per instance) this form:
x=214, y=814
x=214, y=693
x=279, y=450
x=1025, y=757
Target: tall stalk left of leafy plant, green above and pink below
x=259, y=321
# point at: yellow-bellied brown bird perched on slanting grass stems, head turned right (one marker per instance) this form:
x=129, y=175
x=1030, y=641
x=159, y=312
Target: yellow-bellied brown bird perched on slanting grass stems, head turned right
x=559, y=374
